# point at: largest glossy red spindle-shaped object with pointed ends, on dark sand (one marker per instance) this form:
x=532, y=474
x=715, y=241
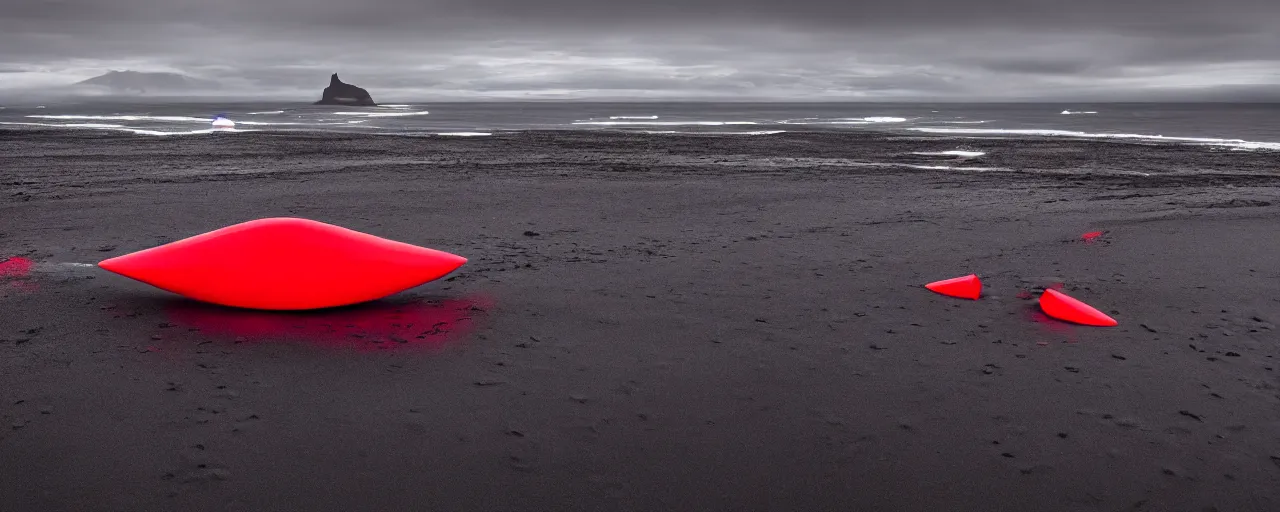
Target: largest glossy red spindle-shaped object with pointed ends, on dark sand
x=285, y=264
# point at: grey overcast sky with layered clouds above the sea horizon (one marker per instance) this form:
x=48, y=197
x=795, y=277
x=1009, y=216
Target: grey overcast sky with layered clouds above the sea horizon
x=664, y=49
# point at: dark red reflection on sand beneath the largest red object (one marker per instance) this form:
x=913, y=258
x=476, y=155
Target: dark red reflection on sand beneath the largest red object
x=377, y=326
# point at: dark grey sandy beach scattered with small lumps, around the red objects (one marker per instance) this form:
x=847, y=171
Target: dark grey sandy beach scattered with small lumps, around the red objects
x=730, y=323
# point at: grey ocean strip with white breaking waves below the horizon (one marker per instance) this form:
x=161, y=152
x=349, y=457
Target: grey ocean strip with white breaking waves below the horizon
x=1245, y=127
